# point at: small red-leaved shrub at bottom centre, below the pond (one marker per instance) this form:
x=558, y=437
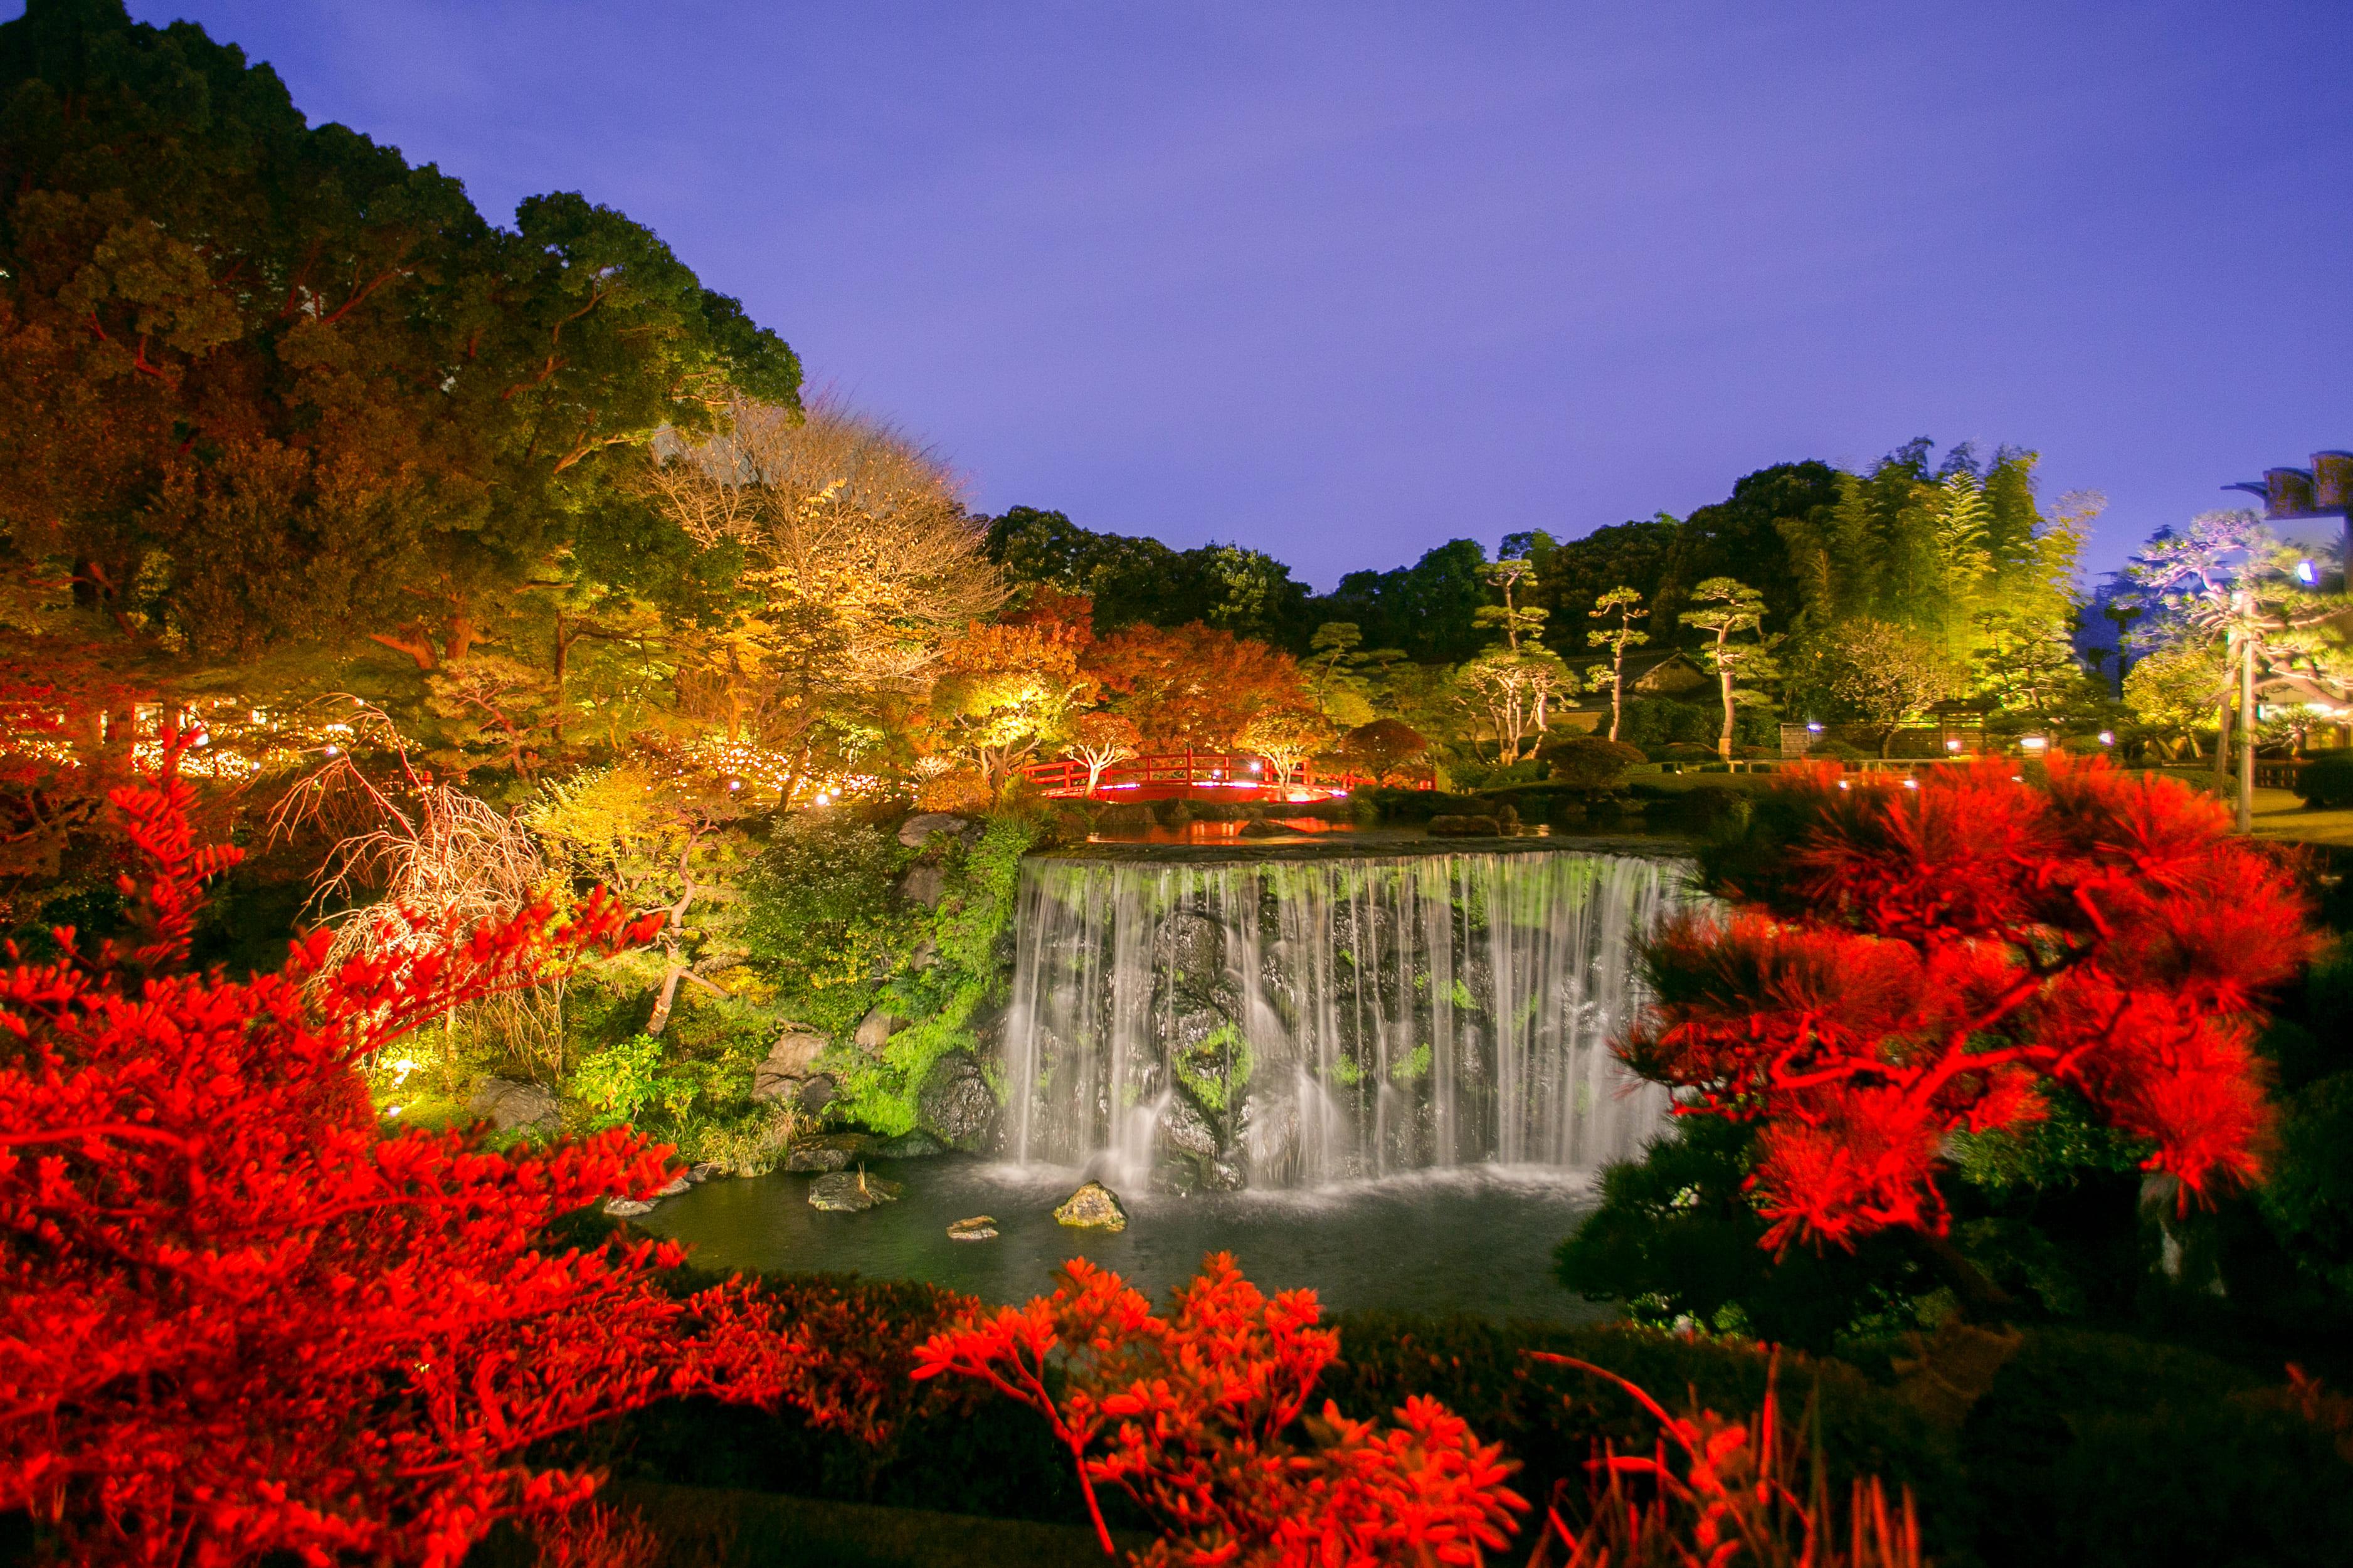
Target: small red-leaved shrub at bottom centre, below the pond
x=1189, y=1414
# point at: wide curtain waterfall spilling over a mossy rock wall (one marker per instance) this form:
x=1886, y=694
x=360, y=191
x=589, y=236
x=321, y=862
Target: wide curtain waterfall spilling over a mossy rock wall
x=1288, y=1024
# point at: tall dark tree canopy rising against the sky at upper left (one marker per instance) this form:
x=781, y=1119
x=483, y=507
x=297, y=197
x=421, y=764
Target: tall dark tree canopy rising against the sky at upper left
x=262, y=380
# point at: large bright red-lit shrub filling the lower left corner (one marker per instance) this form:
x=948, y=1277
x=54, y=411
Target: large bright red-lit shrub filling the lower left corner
x=241, y=1320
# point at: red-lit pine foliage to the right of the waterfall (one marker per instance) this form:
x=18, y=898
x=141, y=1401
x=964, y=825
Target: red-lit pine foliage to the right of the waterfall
x=1926, y=958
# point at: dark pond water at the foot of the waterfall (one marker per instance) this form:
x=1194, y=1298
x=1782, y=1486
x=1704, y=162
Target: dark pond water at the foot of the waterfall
x=1472, y=1240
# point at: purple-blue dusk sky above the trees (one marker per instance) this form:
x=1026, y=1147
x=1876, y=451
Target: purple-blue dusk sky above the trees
x=1347, y=281
